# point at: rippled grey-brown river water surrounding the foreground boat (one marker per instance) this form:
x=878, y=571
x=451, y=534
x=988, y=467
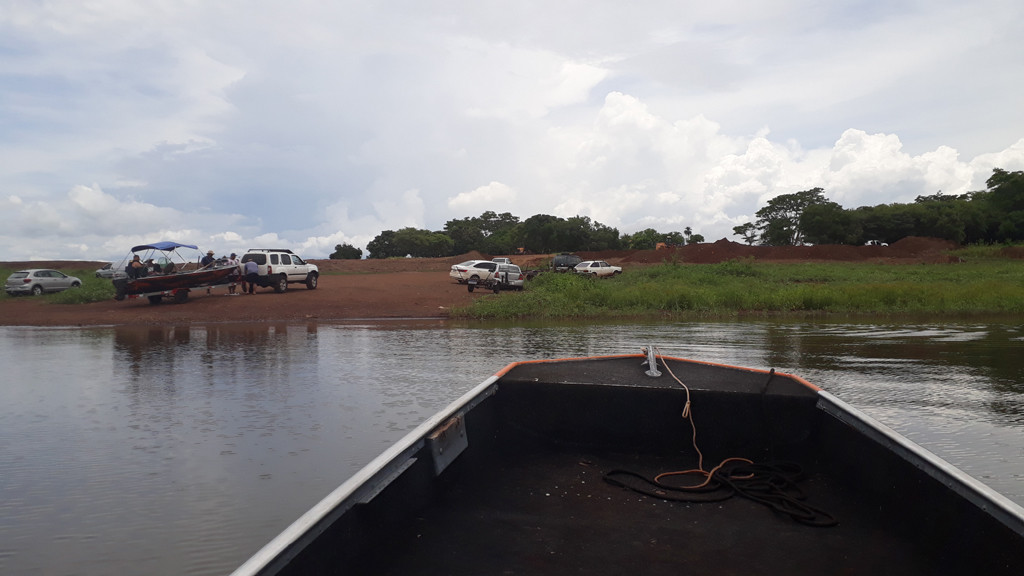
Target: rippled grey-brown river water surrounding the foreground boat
x=184, y=449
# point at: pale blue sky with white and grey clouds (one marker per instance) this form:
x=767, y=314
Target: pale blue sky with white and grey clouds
x=236, y=125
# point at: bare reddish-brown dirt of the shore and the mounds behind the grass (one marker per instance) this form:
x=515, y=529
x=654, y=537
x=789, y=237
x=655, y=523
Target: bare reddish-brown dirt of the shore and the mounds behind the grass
x=415, y=289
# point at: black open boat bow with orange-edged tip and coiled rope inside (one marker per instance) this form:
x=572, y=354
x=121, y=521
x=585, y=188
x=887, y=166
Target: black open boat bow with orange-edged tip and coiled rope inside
x=646, y=464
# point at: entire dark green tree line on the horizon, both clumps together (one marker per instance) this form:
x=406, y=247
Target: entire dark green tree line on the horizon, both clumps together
x=990, y=217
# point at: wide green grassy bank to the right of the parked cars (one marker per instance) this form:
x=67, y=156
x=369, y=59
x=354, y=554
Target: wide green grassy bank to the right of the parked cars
x=977, y=284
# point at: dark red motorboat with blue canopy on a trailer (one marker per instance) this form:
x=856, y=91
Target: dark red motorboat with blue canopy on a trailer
x=176, y=279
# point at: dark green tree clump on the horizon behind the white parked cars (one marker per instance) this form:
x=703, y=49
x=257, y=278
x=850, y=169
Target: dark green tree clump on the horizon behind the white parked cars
x=505, y=234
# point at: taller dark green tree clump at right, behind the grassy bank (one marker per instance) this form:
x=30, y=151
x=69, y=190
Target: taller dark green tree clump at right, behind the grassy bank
x=990, y=217
